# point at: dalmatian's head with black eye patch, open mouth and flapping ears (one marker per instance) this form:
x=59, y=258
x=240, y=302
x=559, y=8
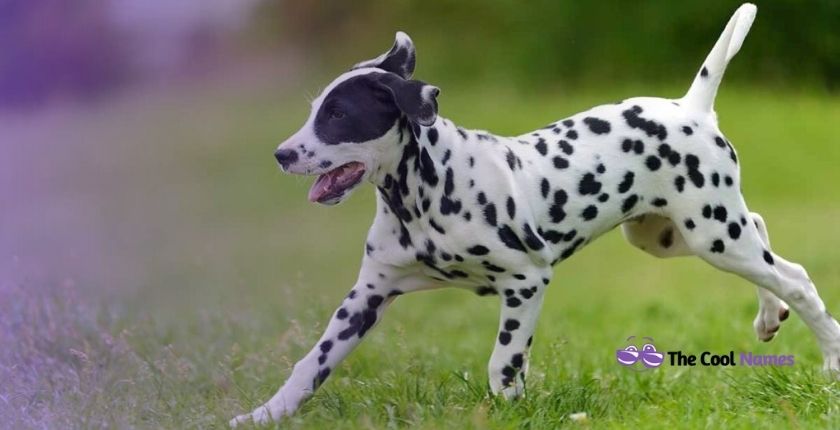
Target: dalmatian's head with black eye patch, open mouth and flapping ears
x=353, y=125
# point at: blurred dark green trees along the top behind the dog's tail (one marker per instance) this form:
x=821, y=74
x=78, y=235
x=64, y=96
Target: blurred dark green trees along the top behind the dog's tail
x=792, y=43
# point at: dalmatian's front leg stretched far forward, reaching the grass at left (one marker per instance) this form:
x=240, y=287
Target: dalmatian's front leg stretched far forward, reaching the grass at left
x=361, y=309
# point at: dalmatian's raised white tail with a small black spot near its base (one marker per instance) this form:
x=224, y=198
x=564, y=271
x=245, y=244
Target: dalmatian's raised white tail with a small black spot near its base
x=702, y=93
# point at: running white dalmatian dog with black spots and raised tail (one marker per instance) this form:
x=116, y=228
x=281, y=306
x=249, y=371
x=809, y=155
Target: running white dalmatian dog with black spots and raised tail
x=492, y=214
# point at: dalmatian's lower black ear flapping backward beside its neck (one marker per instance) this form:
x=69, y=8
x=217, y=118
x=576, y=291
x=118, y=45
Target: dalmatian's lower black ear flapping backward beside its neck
x=416, y=99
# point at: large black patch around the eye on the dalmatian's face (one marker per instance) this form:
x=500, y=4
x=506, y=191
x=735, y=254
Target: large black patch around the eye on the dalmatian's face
x=357, y=110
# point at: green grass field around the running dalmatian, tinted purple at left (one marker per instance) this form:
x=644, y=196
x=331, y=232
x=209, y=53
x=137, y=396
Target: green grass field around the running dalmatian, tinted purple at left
x=184, y=275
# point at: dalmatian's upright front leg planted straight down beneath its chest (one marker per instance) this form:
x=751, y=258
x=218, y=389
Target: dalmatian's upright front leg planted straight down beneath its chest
x=521, y=303
